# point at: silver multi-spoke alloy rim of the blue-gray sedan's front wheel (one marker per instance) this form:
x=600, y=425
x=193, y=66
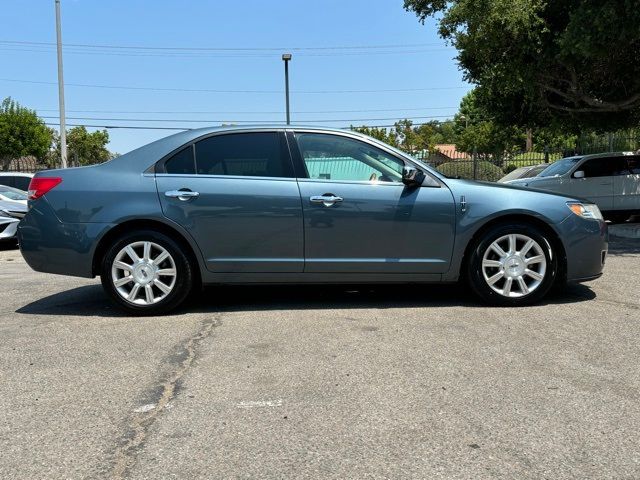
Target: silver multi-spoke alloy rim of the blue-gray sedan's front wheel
x=514, y=265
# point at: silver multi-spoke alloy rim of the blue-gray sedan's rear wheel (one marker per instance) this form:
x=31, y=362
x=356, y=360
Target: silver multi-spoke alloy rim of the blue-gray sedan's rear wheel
x=143, y=273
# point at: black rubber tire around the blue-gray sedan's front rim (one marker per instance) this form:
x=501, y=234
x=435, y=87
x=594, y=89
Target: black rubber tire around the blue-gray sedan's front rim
x=480, y=285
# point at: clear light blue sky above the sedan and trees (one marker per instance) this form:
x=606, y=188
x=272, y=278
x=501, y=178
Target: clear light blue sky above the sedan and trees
x=194, y=63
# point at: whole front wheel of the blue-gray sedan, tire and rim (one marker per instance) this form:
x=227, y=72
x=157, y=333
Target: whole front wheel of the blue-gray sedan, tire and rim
x=512, y=265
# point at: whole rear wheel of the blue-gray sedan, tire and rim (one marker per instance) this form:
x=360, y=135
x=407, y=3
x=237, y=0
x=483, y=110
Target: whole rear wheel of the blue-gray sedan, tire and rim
x=146, y=273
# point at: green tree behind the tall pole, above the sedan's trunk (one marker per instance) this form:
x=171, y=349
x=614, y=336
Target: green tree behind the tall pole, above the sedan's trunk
x=85, y=148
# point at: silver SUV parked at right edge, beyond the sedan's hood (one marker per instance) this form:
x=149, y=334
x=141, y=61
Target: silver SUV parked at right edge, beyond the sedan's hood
x=610, y=180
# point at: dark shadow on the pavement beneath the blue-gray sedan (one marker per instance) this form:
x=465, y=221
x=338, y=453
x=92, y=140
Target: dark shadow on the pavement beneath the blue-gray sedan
x=90, y=300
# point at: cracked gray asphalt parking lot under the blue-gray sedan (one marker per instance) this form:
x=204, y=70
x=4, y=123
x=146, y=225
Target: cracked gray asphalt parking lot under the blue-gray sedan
x=384, y=382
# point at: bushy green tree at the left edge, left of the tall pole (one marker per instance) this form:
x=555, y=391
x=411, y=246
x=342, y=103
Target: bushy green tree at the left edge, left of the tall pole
x=22, y=133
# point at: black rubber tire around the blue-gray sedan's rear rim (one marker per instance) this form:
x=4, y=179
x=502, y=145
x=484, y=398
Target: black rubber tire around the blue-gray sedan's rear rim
x=184, y=273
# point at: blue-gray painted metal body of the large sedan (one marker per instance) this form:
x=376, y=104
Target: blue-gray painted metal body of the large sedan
x=398, y=234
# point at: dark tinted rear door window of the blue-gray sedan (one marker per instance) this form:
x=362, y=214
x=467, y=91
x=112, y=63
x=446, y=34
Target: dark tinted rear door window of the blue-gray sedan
x=244, y=154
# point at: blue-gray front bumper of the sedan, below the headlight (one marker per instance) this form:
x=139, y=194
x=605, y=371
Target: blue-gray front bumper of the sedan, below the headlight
x=586, y=243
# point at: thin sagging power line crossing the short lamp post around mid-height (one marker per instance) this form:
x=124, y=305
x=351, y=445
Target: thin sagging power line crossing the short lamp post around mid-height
x=206, y=90
